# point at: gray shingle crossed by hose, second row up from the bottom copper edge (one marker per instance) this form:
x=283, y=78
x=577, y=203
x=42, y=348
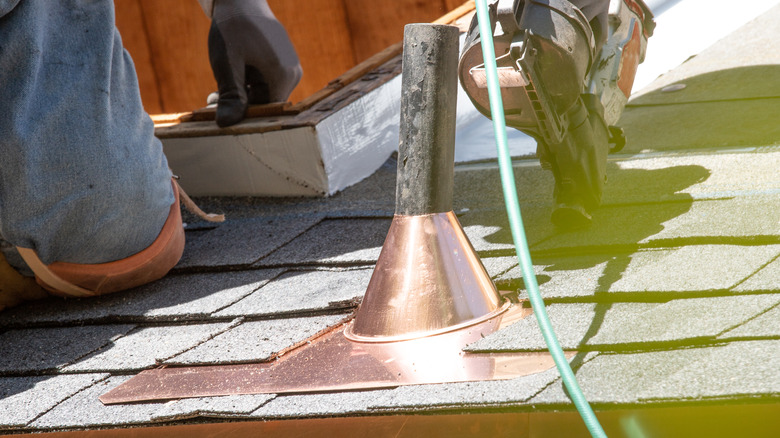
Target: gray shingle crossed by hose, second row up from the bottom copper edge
x=610, y=326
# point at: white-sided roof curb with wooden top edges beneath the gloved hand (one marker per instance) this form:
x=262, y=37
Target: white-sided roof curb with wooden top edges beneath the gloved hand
x=329, y=140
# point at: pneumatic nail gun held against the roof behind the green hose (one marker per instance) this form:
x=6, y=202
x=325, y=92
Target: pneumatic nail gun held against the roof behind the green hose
x=565, y=69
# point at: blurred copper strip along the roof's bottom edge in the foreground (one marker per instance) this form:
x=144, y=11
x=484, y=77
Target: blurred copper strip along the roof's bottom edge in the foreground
x=755, y=419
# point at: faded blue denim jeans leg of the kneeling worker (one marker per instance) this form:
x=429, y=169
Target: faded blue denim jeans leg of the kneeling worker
x=82, y=177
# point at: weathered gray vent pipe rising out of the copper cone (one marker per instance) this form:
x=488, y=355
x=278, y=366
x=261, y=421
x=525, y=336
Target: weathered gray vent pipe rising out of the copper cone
x=426, y=150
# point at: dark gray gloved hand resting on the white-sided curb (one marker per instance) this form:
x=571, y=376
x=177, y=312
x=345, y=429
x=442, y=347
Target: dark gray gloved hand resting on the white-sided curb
x=251, y=56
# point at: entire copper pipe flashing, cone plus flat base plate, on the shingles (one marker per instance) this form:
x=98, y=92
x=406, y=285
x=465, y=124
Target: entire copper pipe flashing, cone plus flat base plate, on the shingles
x=428, y=298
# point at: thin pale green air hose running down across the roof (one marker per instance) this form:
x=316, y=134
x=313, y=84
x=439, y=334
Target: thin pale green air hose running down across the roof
x=516, y=225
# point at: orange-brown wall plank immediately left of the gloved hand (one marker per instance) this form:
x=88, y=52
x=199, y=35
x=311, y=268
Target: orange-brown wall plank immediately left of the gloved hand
x=178, y=35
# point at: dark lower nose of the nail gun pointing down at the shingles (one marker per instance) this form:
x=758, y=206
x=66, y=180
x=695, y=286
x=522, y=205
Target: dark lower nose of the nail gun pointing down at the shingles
x=578, y=164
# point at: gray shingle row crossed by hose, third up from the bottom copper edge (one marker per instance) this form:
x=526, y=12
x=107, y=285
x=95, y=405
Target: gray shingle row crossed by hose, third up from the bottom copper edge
x=692, y=269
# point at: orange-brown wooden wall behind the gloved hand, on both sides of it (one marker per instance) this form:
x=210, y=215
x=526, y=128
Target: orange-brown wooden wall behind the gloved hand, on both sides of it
x=167, y=40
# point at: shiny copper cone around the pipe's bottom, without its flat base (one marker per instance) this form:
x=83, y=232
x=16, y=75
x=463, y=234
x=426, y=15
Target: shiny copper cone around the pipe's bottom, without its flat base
x=428, y=280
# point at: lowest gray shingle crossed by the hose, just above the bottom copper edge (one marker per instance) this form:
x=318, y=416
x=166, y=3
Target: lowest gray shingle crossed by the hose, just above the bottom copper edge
x=721, y=372
